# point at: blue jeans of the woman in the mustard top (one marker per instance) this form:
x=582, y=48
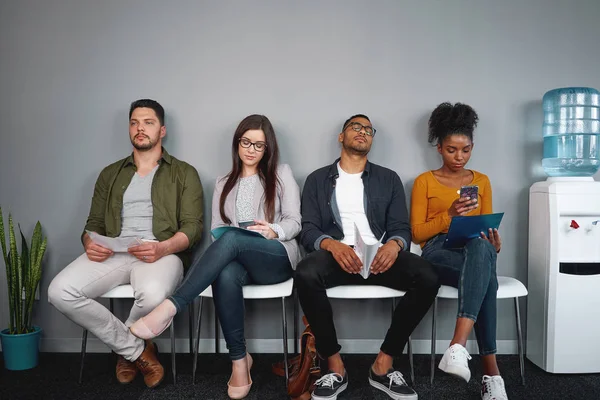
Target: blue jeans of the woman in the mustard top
x=472, y=270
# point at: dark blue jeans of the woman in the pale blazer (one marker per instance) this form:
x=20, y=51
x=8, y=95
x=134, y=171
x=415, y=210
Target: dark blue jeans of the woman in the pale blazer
x=236, y=259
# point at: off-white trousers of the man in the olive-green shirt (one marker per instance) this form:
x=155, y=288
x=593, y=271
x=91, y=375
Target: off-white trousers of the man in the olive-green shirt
x=74, y=289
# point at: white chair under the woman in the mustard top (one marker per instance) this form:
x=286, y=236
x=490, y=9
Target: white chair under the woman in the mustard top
x=508, y=288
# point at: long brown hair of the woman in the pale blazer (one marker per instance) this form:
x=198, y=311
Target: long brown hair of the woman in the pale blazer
x=267, y=167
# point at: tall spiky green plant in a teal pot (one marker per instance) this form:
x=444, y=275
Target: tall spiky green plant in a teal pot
x=20, y=342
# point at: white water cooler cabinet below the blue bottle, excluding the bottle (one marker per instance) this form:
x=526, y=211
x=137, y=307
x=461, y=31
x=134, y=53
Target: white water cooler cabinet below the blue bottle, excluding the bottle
x=563, y=309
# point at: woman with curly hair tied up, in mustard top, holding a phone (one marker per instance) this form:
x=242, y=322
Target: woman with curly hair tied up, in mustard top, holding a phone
x=472, y=269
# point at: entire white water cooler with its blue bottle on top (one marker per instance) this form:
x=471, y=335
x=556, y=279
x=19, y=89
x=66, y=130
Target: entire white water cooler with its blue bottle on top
x=563, y=308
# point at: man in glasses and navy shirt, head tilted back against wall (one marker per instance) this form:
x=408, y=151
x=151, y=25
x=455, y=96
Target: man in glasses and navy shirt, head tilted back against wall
x=354, y=195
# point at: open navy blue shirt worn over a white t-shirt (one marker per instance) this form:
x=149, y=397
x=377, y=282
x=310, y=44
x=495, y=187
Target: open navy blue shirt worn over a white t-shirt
x=384, y=202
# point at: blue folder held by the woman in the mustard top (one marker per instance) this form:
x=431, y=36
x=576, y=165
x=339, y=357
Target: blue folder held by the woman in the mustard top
x=464, y=228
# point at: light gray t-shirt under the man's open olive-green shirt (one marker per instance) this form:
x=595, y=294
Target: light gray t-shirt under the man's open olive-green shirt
x=137, y=209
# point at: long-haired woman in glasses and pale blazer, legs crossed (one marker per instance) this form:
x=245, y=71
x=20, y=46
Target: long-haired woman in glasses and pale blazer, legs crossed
x=261, y=198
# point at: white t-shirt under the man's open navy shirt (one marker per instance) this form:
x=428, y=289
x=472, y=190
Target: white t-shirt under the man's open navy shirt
x=349, y=195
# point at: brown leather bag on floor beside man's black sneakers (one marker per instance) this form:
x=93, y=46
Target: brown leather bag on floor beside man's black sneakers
x=303, y=369
